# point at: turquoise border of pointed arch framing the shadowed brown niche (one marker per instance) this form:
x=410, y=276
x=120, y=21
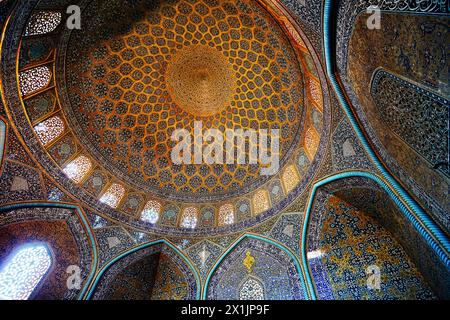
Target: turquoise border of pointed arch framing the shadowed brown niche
x=90, y=292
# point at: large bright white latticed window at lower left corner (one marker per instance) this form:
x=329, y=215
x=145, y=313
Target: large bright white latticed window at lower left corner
x=23, y=271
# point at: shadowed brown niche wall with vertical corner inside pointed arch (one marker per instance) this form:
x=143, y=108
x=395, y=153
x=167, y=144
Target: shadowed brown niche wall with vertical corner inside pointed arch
x=154, y=272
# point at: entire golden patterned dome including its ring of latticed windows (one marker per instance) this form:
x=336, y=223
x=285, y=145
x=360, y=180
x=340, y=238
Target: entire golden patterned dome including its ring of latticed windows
x=136, y=72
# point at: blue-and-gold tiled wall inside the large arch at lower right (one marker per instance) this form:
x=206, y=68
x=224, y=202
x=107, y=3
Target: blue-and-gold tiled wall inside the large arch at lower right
x=351, y=246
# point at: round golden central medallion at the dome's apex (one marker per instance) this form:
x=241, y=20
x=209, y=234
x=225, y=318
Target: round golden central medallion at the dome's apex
x=200, y=80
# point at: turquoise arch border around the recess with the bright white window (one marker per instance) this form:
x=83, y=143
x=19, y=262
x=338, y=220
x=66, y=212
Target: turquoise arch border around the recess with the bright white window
x=81, y=217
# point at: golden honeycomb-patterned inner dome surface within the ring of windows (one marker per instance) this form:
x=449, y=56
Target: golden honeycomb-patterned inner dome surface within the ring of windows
x=131, y=84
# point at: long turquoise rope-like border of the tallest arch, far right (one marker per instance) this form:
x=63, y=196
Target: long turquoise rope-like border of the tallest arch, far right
x=434, y=235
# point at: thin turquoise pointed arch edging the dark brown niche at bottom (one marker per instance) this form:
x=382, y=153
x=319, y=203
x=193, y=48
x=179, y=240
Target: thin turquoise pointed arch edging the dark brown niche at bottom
x=195, y=284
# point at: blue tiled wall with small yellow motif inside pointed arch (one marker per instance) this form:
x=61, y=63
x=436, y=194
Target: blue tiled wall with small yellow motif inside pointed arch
x=255, y=267
